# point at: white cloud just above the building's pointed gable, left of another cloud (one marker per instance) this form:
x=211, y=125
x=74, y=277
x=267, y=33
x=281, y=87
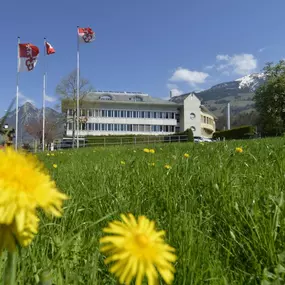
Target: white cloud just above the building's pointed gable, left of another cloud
x=189, y=76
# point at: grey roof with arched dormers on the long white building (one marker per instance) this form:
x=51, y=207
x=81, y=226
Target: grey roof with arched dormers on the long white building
x=125, y=97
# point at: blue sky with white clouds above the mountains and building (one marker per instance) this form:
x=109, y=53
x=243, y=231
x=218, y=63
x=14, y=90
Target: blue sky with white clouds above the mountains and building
x=149, y=46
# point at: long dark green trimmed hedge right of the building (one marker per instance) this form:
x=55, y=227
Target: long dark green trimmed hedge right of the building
x=236, y=133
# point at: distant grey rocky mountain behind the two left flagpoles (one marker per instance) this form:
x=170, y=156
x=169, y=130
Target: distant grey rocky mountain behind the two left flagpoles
x=28, y=114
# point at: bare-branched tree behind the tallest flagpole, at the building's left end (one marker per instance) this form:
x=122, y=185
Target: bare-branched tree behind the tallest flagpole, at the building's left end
x=67, y=90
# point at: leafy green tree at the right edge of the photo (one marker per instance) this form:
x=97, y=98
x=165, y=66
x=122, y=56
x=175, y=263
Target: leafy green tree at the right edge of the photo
x=270, y=100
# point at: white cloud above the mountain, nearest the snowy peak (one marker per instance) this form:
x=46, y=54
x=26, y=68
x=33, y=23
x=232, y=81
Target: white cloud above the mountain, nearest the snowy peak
x=241, y=64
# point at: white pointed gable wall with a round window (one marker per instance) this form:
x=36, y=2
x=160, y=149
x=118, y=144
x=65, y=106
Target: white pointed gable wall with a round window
x=192, y=105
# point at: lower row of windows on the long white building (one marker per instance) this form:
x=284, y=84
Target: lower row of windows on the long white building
x=124, y=127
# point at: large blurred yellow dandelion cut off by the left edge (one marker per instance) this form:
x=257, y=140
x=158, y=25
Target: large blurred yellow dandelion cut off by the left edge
x=24, y=187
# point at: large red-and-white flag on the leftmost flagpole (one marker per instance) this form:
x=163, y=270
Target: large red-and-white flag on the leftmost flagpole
x=28, y=55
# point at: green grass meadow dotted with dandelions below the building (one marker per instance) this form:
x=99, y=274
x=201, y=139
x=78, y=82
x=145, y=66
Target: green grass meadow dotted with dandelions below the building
x=223, y=211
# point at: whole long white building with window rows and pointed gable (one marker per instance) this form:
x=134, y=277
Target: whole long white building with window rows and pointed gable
x=123, y=113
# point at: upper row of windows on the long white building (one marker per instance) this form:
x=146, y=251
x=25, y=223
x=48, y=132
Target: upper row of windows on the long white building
x=123, y=114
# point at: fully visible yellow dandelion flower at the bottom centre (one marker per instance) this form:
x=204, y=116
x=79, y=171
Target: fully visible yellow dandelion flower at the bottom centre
x=136, y=250
